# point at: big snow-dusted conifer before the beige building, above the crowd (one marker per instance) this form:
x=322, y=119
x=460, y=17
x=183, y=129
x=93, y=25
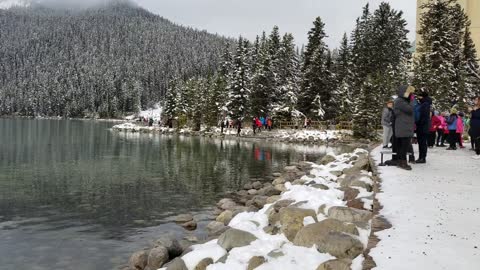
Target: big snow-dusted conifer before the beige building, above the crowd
x=437, y=65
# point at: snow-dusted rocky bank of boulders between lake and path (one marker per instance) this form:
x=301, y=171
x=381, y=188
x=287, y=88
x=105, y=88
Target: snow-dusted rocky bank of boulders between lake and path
x=311, y=216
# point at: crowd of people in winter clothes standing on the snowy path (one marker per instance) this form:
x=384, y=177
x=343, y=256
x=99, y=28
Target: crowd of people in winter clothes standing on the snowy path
x=410, y=119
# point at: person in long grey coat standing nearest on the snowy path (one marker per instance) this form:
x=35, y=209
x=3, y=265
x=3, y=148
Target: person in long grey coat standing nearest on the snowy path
x=404, y=124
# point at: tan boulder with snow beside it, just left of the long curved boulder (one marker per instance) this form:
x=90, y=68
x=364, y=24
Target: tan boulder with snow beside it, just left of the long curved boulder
x=291, y=220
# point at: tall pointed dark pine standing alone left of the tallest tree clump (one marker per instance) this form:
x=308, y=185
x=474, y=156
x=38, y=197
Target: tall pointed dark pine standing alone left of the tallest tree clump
x=314, y=89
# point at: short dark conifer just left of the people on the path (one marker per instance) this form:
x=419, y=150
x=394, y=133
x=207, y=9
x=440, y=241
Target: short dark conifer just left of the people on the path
x=365, y=118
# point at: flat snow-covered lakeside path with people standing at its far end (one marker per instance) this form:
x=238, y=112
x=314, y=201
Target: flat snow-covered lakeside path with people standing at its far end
x=434, y=211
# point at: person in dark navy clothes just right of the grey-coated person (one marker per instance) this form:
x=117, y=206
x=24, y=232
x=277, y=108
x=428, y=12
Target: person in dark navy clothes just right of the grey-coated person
x=423, y=126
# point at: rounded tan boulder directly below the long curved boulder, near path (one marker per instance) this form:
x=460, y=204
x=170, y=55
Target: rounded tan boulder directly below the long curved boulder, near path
x=340, y=245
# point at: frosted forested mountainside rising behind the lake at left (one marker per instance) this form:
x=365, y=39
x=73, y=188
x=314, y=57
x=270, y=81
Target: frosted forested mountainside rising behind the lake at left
x=101, y=61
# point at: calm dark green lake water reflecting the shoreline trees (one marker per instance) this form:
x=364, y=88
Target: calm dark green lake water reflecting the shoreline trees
x=76, y=195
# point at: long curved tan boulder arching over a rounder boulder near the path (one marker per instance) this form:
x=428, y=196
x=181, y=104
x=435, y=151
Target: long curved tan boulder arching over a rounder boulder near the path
x=311, y=234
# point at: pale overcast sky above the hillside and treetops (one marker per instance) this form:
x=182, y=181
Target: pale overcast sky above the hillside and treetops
x=250, y=17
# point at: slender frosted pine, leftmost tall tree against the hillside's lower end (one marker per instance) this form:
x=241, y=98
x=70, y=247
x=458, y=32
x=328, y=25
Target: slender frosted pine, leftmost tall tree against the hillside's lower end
x=239, y=83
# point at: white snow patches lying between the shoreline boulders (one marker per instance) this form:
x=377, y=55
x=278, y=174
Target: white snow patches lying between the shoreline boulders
x=294, y=257
